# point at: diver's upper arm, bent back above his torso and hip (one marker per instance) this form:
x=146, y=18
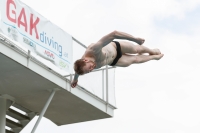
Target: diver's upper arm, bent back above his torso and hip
x=115, y=35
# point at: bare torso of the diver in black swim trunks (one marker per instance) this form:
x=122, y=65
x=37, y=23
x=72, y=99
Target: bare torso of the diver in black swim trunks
x=102, y=57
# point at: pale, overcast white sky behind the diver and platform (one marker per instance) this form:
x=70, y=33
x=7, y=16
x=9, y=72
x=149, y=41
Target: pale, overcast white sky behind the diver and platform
x=155, y=97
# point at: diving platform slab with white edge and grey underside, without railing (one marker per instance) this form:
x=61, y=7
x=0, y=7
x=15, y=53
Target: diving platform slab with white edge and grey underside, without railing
x=30, y=82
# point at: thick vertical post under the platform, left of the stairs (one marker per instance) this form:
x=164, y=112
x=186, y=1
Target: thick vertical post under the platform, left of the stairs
x=2, y=115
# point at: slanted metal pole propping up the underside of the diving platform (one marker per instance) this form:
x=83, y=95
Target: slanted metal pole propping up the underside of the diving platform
x=44, y=109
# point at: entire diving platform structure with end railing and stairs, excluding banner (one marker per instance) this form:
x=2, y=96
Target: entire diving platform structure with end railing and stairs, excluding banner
x=29, y=85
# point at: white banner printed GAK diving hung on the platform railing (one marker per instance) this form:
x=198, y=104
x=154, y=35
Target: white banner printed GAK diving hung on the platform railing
x=29, y=28
